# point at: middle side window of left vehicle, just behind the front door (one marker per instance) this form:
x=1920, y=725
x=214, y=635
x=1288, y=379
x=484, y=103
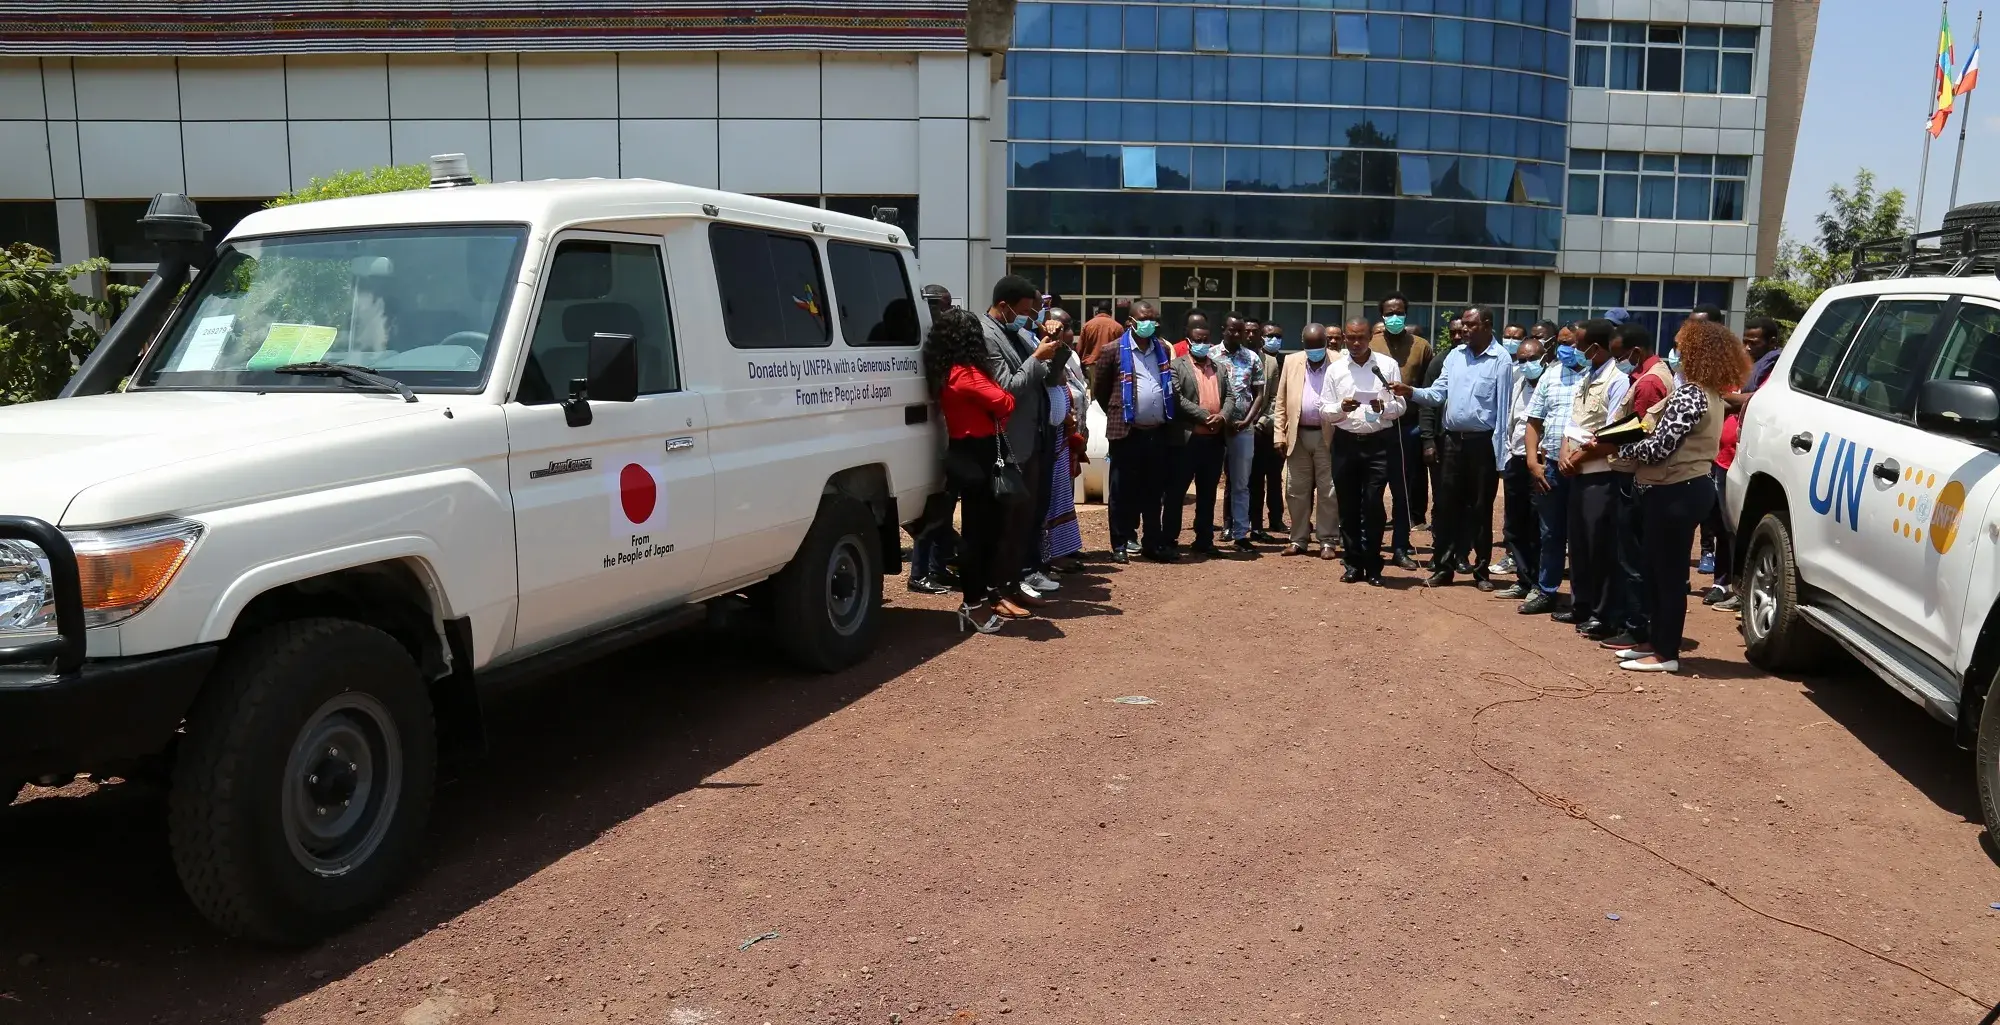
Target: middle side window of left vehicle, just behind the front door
x=773, y=291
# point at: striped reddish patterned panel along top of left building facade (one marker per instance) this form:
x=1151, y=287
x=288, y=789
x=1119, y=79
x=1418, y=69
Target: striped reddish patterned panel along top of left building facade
x=395, y=27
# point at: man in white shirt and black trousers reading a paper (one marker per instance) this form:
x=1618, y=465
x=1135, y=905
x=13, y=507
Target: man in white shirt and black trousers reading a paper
x=1363, y=409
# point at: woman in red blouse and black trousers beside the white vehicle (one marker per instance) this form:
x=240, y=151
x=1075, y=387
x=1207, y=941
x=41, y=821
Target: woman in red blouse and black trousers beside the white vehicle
x=975, y=411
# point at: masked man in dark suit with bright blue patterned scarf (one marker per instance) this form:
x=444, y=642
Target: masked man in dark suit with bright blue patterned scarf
x=1135, y=383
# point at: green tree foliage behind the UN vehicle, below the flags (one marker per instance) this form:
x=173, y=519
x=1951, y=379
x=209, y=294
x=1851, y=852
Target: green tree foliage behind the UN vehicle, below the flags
x=1807, y=269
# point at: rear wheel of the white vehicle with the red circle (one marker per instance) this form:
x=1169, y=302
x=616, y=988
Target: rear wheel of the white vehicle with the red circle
x=829, y=600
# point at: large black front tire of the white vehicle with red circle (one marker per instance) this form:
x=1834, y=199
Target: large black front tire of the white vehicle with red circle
x=271, y=738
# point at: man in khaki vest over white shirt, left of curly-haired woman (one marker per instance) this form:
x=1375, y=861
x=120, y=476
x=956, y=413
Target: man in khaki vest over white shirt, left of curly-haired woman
x=1593, y=485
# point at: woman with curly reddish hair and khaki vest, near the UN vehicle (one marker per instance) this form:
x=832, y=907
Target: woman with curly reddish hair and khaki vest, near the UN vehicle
x=1675, y=487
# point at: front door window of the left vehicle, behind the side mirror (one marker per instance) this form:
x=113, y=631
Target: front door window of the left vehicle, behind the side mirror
x=593, y=289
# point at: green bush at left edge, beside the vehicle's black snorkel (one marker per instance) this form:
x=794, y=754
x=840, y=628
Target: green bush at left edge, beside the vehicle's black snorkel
x=47, y=327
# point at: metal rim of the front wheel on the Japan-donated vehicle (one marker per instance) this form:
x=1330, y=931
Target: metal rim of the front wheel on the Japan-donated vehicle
x=343, y=782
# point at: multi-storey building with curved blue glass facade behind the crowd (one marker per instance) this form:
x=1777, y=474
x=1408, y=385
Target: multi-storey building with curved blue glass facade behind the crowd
x=1295, y=159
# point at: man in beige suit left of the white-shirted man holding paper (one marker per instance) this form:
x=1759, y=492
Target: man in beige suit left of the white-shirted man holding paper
x=1303, y=435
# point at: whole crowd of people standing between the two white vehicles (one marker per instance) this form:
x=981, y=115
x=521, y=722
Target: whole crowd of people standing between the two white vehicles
x=1607, y=455
